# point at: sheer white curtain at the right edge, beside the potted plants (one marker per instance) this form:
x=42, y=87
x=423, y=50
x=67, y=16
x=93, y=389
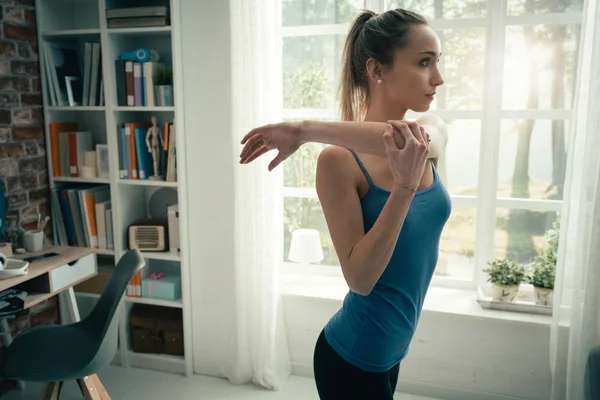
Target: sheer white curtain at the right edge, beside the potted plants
x=575, y=328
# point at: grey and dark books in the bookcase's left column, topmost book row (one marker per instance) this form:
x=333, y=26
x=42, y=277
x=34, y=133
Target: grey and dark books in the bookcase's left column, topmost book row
x=73, y=73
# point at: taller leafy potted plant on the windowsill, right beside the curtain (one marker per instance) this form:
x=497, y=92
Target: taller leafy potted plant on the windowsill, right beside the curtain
x=543, y=269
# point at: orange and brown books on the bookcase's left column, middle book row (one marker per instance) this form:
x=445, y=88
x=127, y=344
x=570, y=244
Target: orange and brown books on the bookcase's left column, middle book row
x=68, y=146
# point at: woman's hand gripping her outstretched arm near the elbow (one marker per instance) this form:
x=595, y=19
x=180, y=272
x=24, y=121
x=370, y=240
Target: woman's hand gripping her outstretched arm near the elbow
x=407, y=164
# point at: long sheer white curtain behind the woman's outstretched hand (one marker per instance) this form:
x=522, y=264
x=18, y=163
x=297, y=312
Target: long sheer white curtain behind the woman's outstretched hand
x=259, y=352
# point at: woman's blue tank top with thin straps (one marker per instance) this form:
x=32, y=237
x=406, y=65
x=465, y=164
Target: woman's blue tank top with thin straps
x=373, y=332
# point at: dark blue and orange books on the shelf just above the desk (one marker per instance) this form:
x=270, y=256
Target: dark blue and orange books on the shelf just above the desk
x=83, y=217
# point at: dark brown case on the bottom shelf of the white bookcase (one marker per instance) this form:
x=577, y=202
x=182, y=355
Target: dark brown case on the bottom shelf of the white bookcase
x=157, y=330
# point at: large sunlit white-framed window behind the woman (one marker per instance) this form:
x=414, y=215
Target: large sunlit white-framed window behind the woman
x=509, y=68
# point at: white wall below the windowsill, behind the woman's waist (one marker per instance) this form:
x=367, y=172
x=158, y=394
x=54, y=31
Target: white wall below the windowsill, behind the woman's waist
x=452, y=356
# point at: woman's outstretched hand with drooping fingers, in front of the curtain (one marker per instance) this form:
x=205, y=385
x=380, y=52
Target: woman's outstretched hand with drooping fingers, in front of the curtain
x=284, y=137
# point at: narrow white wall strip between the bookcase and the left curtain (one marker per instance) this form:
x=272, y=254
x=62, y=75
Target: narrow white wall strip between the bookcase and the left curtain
x=209, y=155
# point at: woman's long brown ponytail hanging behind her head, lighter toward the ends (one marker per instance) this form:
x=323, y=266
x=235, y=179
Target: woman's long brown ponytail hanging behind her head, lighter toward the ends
x=352, y=88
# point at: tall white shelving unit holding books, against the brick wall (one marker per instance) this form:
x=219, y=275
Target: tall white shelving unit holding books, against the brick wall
x=73, y=22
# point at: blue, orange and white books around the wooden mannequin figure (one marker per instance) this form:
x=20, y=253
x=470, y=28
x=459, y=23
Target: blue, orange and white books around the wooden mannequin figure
x=136, y=160
